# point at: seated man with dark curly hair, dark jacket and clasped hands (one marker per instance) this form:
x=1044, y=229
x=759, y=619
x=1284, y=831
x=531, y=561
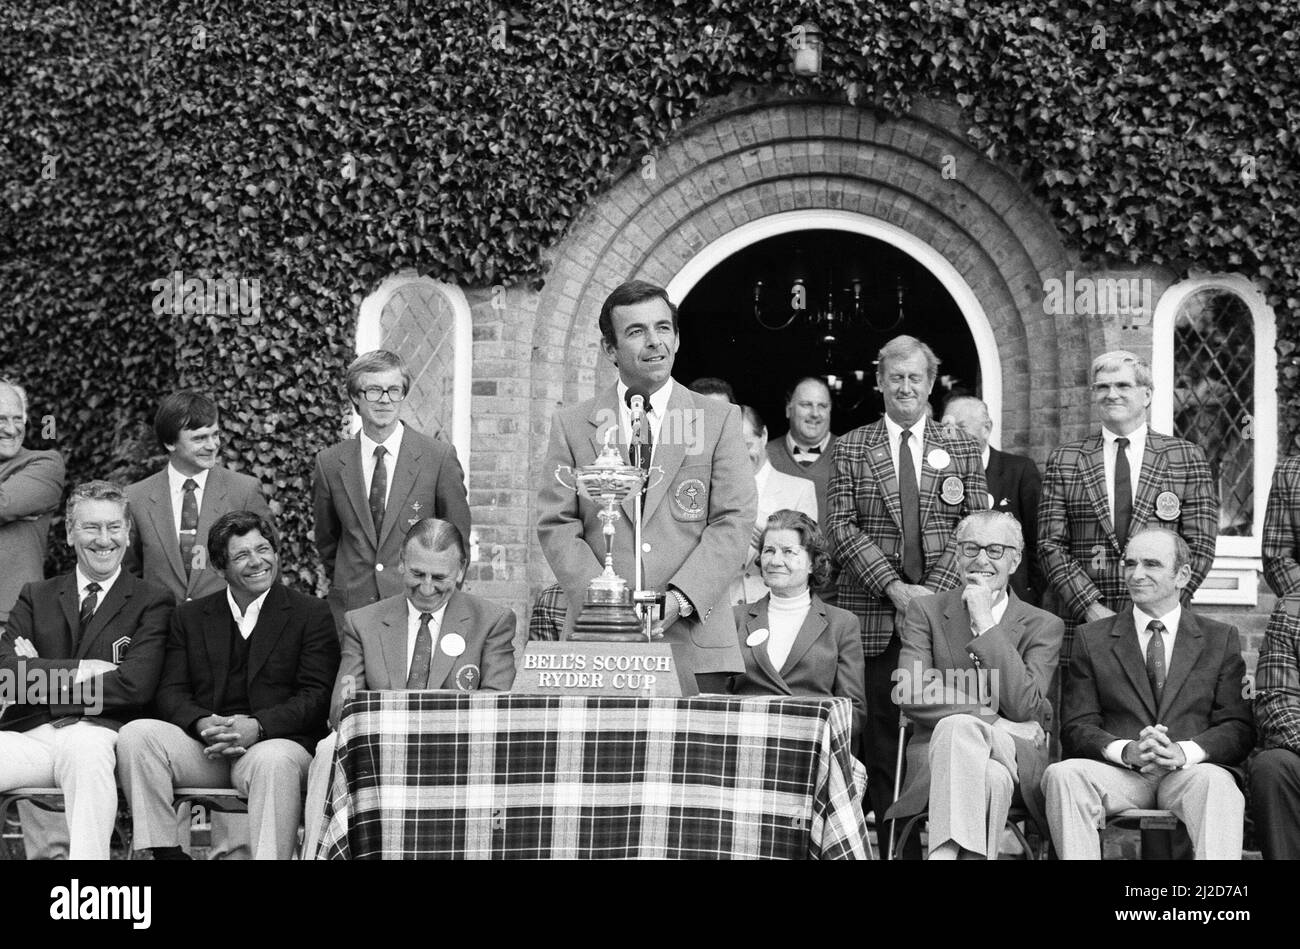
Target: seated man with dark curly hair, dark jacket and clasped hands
x=244, y=696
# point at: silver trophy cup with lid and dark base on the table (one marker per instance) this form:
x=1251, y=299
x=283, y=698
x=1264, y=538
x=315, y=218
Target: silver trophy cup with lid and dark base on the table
x=608, y=612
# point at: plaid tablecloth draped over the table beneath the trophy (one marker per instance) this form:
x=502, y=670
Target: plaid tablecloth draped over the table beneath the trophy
x=499, y=775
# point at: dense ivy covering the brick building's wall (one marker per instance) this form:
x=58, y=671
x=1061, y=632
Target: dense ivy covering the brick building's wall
x=300, y=153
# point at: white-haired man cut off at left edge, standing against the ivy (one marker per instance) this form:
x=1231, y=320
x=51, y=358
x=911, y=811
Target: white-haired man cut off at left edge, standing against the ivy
x=32, y=484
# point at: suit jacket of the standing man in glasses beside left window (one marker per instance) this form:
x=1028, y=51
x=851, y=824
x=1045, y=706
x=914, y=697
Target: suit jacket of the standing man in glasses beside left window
x=362, y=562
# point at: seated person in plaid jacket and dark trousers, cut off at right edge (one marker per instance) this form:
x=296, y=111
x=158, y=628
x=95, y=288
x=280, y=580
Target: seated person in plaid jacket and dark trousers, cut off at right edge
x=1276, y=772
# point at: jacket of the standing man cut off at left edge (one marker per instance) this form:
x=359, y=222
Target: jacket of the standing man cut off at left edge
x=32, y=486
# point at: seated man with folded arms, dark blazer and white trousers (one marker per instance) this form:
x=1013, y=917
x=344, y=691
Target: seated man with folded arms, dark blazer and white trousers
x=93, y=642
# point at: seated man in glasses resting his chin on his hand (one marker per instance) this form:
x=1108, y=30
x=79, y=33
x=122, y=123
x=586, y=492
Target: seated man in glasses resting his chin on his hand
x=994, y=656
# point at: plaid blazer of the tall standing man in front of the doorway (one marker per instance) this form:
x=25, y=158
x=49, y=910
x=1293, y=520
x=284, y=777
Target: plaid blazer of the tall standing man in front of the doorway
x=864, y=521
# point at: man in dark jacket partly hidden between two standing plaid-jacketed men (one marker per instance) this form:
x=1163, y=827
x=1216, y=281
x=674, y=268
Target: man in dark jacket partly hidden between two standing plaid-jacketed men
x=1015, y=487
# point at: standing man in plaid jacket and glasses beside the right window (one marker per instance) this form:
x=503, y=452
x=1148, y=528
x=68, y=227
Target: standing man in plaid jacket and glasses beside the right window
x=1085, y=523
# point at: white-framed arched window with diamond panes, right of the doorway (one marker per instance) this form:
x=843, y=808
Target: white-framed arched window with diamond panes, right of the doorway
x=1216, y=378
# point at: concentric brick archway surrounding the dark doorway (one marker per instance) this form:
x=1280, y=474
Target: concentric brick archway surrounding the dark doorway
x=753, y=163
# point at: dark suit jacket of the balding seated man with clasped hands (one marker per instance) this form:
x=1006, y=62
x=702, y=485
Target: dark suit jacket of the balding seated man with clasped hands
x=1108, y=696
